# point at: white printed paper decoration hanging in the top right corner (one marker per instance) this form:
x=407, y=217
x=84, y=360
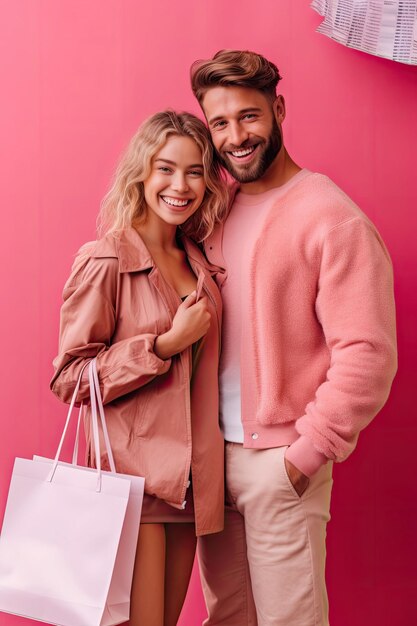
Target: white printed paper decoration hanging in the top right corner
x=386, y=28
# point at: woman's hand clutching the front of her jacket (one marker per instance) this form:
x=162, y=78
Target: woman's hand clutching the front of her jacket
x=191, y=322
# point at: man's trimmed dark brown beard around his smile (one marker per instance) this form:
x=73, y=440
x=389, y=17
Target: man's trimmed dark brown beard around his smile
x=254, y=171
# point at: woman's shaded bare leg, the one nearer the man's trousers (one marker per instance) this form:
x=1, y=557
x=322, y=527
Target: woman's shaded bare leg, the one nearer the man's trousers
x=180, y=551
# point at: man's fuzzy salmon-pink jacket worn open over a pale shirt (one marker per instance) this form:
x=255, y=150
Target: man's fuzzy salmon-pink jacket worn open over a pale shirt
x=318, y=350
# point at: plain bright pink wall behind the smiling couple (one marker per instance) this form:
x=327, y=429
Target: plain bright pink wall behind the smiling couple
x=77, y=77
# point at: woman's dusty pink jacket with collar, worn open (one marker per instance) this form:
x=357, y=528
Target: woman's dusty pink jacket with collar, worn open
x=115, y=304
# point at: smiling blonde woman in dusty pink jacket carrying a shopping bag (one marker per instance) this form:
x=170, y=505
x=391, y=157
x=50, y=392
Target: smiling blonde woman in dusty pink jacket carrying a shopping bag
x=133, y=301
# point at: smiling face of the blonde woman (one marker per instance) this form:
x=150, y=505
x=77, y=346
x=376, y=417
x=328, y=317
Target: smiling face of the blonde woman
x=175, y=187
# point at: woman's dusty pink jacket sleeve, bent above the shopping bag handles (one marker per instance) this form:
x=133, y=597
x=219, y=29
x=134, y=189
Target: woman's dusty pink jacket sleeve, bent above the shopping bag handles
x=87, y=325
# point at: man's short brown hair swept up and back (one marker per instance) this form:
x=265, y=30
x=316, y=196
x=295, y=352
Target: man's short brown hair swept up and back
x=234, y=68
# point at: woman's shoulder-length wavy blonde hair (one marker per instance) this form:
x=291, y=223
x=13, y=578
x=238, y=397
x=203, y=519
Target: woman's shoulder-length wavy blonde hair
x=125, y=201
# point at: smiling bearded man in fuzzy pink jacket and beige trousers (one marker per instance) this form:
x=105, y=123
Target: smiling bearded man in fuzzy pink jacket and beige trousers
x=308, y=354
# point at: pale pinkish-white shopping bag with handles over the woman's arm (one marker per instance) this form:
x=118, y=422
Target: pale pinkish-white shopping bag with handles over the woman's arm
x=69, y=537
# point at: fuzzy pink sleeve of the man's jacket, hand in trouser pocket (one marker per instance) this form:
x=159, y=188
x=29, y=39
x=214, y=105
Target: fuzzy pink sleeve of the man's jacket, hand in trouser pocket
x=355, y=306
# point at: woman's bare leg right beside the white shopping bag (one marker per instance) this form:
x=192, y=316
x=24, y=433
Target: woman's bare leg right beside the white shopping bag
x=147, y=598
